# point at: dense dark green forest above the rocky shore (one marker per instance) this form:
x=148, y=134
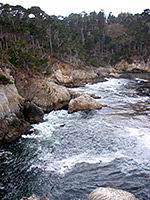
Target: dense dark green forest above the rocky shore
x=30, y=38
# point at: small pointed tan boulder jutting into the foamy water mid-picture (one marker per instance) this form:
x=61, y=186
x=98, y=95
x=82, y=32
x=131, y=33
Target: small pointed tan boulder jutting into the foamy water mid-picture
x=83, y=102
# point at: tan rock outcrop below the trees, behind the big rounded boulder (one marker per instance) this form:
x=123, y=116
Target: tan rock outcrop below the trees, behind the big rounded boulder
x=73, y=77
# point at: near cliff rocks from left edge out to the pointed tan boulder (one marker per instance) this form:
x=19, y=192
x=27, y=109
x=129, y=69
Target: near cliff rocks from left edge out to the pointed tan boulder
x=26, y=98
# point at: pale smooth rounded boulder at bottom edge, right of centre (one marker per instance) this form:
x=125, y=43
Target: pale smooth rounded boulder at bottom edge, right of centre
x=110, y=194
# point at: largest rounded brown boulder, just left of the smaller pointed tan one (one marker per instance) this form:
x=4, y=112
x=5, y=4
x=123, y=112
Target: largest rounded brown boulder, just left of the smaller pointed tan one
x=44, y=93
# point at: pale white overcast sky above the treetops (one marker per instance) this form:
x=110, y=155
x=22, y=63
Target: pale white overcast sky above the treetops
x=66, y=7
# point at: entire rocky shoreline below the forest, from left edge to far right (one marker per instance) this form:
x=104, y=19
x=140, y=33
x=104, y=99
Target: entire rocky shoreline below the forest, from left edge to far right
x=28, y=97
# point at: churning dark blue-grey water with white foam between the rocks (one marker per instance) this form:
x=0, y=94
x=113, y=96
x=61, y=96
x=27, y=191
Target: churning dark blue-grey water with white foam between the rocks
x=69, y=155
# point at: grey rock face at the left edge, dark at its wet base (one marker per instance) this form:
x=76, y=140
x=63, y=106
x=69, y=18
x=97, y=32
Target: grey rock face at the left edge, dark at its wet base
x=12, y=122
